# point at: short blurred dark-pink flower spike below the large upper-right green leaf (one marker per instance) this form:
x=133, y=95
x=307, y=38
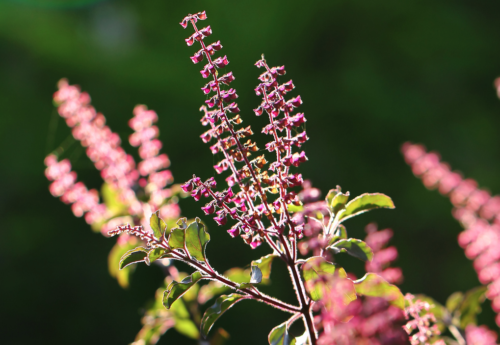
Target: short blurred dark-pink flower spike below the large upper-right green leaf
x=382, y=257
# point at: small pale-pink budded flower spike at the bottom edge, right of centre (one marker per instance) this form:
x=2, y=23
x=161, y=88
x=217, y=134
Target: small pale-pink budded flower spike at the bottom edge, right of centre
x=424, y=325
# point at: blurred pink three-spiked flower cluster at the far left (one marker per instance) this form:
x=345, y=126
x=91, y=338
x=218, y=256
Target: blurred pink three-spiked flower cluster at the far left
x=118, y=169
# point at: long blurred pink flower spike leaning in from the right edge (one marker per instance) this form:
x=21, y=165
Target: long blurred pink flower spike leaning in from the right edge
x=475, y=208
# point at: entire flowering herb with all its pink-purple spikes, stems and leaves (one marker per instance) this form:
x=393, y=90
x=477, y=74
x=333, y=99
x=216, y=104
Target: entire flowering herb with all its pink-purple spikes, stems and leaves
x=266, y=202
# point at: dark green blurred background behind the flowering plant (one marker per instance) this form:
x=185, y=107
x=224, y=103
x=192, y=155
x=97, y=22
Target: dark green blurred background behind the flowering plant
x=372, y=75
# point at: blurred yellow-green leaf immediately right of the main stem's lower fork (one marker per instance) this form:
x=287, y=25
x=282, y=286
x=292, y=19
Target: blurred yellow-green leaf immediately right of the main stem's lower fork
x=315, y=267
